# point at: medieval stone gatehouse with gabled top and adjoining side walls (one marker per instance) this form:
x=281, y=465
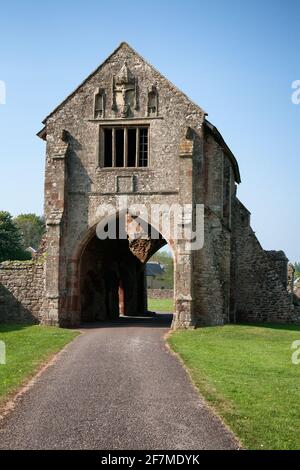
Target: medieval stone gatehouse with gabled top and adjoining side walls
x=126, y=131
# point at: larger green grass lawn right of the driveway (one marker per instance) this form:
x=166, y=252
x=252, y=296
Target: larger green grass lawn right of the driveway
x=246, y=373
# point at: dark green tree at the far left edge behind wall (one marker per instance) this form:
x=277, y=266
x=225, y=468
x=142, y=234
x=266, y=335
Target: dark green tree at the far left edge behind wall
x=10, y=239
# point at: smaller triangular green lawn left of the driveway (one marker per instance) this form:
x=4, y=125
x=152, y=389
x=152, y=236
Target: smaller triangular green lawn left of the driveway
x=27, y=347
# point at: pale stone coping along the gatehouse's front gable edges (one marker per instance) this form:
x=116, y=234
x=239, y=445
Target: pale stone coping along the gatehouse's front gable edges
x=122, y=45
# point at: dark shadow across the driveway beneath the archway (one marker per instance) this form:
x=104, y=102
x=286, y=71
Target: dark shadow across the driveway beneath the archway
x=160, y=320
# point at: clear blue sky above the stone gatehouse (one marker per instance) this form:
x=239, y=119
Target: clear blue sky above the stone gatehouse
x=236, y=59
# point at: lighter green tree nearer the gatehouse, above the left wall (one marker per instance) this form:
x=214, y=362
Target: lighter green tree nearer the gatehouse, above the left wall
x=32, y=228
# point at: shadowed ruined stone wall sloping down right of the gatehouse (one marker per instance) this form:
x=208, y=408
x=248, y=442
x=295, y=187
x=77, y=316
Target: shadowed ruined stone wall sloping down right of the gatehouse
x=258, y=291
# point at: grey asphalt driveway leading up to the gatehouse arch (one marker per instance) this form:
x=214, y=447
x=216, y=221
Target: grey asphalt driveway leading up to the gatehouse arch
x=115, y=387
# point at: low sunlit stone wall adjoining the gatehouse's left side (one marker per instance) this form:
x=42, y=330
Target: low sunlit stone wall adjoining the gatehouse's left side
x=21, y=291
